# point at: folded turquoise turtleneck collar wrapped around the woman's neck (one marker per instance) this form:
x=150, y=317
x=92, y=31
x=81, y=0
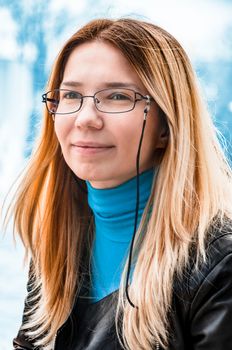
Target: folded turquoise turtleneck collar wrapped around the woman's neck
x=114, y=208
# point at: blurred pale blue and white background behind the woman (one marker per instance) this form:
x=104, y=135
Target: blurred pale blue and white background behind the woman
x=31, y=34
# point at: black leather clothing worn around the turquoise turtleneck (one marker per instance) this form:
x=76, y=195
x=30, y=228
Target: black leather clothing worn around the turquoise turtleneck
x=201, y=316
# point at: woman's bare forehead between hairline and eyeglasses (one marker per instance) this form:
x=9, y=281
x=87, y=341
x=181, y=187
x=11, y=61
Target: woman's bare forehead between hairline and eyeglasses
x=97, y=62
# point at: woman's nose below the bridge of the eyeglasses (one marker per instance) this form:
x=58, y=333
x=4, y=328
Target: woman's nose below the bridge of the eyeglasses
x=88, y=116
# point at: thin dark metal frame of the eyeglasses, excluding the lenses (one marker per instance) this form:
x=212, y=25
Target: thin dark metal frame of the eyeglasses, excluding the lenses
x=45, y=99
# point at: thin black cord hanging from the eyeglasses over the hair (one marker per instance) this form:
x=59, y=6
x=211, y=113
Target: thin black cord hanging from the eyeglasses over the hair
x=136, y=211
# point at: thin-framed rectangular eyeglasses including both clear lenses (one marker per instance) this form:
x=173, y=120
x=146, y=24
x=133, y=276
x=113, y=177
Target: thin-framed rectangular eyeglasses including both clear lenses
x=118, y=100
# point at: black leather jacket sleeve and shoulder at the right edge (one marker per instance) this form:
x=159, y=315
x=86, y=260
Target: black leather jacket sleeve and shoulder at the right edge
x=202, y=301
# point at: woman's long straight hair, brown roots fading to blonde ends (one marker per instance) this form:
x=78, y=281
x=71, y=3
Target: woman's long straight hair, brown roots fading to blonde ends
x=192, y=187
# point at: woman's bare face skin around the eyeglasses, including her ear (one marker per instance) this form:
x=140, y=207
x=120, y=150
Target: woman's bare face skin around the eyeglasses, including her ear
x=98, y=146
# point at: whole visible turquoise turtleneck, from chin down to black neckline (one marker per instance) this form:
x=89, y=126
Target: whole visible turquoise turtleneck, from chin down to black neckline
x=114, y=215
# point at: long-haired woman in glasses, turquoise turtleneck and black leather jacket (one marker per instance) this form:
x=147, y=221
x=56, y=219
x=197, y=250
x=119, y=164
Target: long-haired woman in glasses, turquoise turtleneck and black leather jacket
x=125, y=209
